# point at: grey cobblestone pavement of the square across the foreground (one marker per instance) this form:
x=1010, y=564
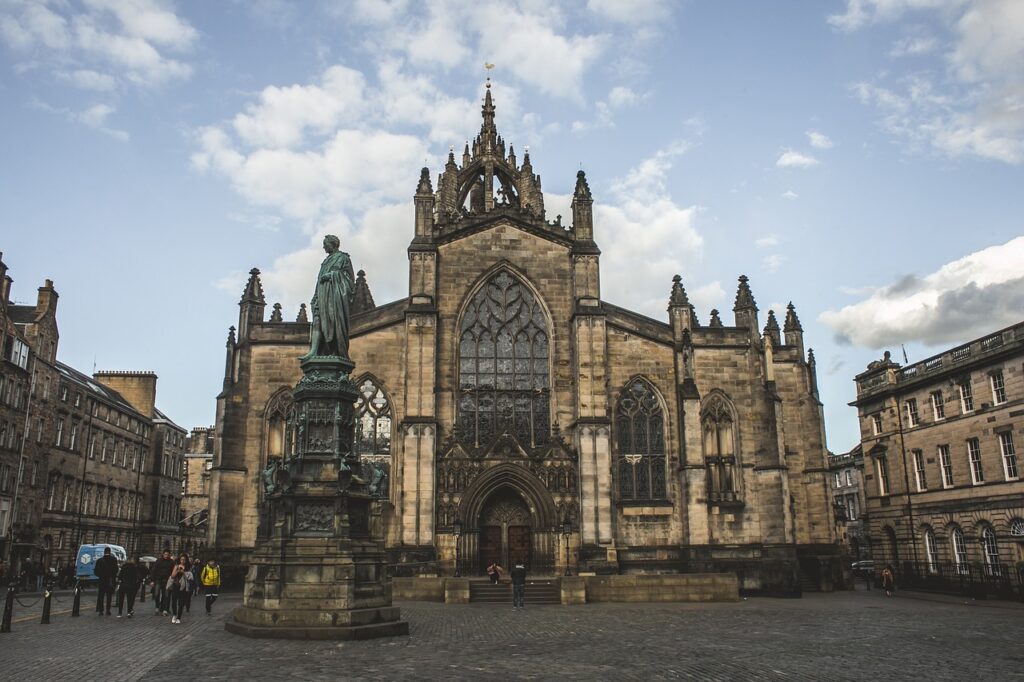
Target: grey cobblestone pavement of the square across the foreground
x=844, y=636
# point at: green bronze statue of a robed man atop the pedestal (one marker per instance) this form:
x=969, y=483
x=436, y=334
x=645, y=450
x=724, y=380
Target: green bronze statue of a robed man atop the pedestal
x=331, y=305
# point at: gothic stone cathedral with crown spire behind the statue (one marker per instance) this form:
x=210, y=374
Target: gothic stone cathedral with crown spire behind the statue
x=519, y=412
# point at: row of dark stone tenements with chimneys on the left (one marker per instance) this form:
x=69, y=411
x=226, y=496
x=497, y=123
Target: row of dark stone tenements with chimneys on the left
x=102, y=464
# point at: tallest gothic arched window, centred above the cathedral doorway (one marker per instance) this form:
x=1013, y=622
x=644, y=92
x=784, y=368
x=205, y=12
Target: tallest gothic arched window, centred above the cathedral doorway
x=503, y=366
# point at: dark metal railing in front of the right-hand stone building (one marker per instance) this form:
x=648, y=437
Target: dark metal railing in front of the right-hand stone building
x=980, y=581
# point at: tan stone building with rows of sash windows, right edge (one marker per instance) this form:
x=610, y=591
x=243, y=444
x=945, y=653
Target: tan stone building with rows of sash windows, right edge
x=943, y=477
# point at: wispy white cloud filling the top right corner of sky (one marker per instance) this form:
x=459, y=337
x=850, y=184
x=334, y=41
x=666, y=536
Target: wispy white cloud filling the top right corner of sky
x=974, y=105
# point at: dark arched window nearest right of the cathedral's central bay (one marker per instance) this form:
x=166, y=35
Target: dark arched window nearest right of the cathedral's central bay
x=641, y=444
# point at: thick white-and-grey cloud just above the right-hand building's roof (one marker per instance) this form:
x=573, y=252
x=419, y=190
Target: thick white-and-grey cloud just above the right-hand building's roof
x=966, y=299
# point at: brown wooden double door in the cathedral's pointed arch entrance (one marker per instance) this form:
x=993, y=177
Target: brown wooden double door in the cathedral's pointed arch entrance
x=505, y=530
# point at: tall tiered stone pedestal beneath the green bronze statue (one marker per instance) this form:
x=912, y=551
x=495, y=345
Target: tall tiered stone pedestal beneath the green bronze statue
x=321, y=574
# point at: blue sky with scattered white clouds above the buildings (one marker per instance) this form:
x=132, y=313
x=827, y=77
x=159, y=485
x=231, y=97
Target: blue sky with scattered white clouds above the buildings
x=861, y=158
